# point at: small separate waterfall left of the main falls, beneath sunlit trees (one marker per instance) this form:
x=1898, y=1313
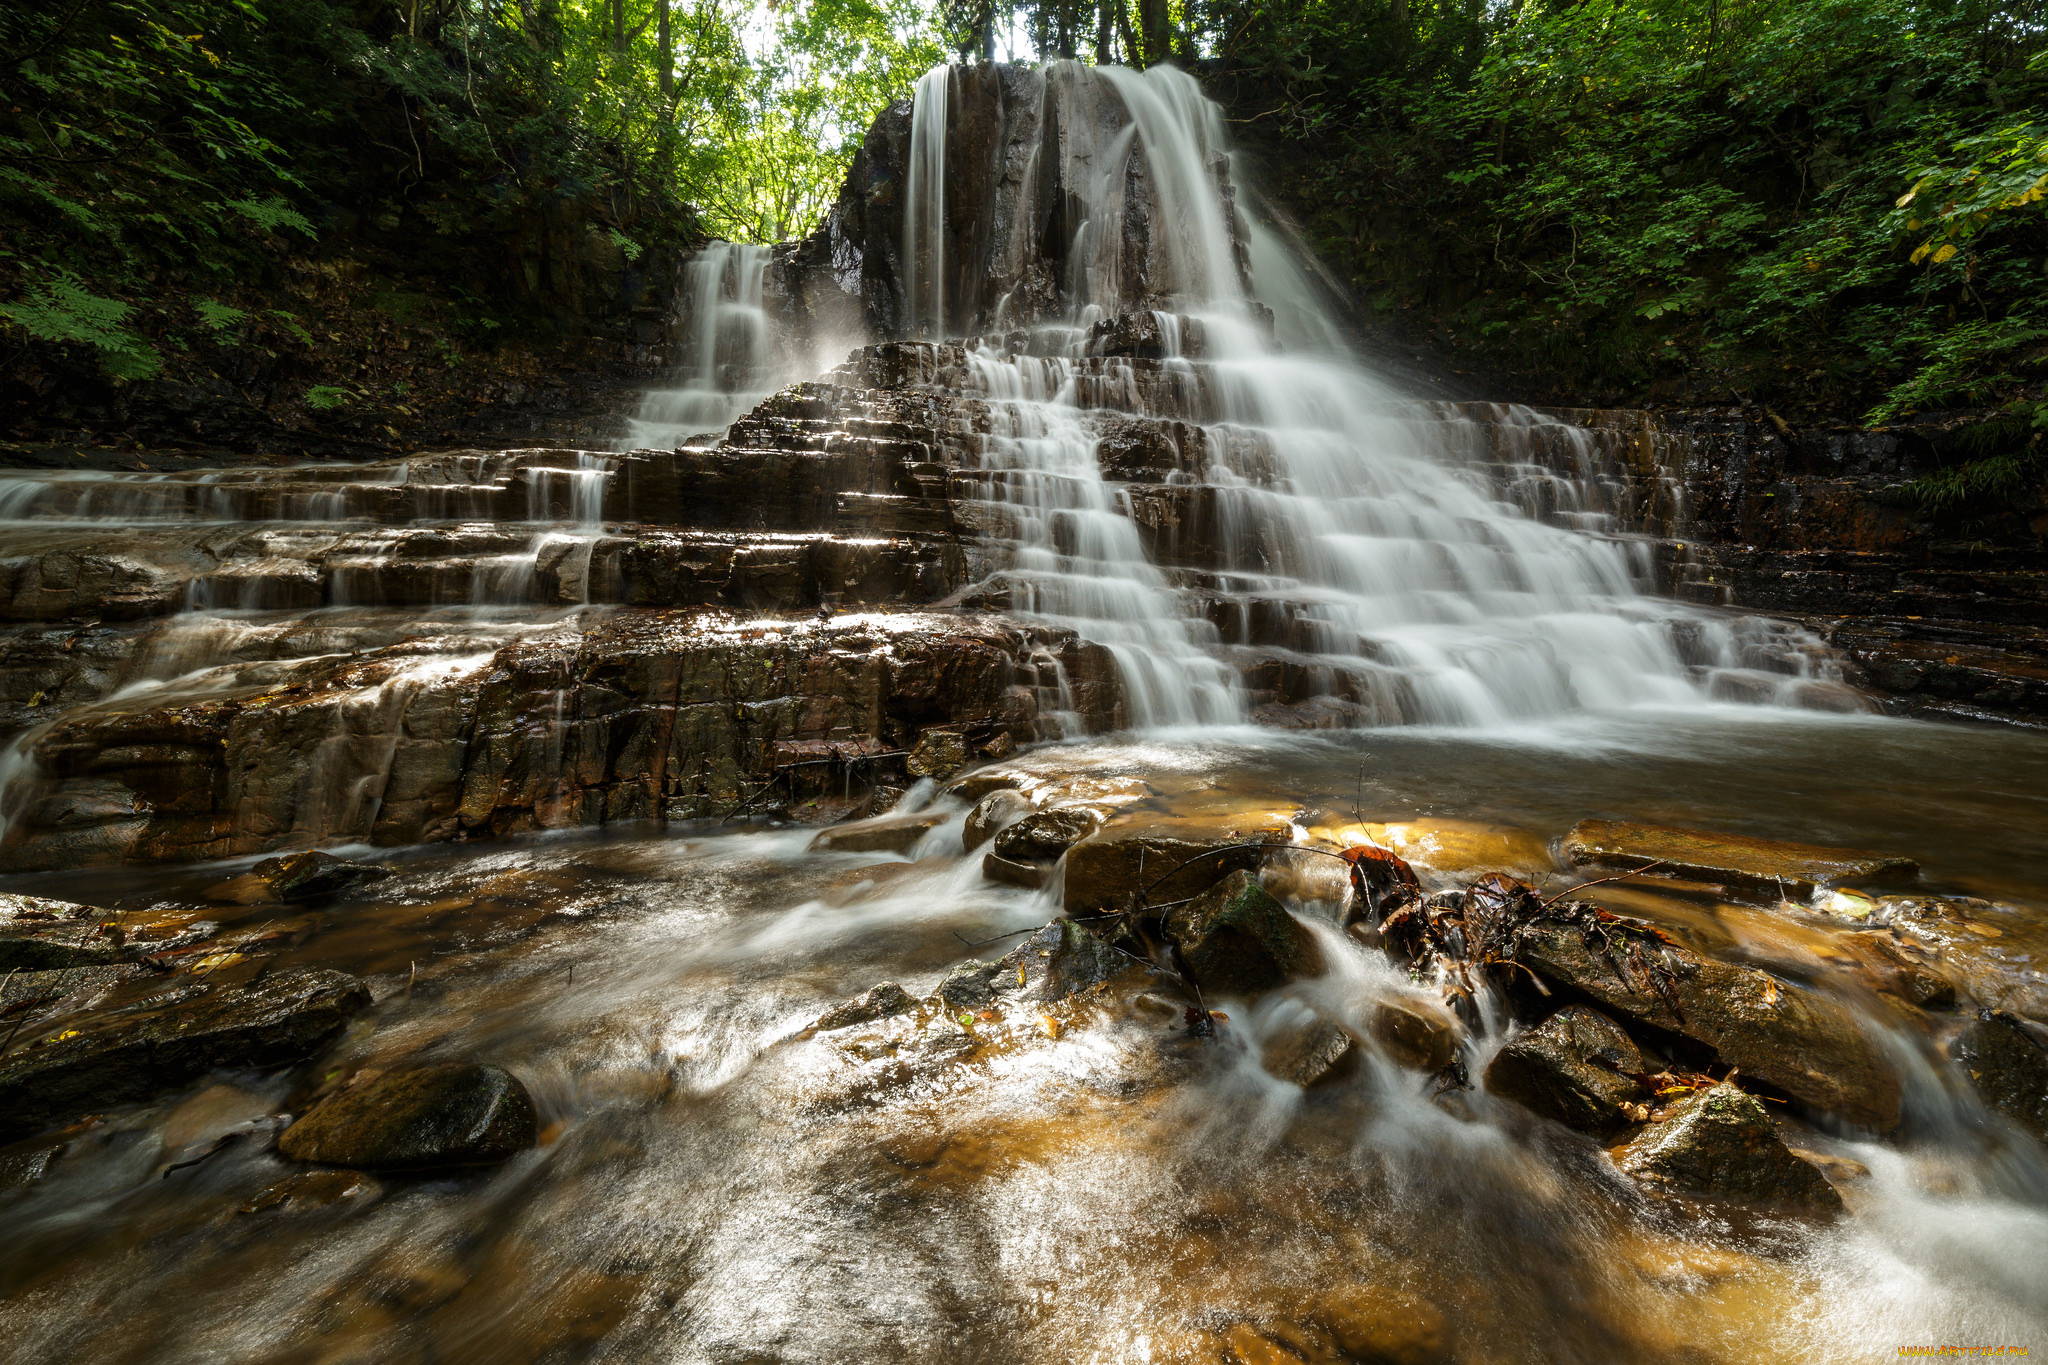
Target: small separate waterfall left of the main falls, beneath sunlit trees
x=728, y=361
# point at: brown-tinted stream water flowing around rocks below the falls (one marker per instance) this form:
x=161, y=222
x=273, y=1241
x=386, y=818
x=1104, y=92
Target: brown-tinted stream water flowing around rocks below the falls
x=1086, y=1184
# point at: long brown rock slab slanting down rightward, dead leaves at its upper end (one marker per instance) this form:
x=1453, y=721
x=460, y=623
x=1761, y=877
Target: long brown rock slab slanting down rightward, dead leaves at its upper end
x=1789, y=1037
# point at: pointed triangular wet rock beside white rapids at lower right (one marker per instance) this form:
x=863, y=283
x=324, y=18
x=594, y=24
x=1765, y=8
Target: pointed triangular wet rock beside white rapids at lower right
x=1721, y=1143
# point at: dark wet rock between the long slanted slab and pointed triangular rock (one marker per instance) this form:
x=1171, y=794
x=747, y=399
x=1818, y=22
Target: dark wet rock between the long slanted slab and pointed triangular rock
x=1572, y=1069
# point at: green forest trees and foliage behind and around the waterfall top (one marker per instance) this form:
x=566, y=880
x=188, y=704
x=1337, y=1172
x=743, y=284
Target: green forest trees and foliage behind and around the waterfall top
x=1826, y=204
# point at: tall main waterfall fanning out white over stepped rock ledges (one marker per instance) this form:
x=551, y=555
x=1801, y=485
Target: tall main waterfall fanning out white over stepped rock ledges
x=1406, y=576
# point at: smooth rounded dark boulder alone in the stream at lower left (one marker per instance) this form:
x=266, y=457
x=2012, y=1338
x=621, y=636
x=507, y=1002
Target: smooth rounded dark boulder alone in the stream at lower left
x=456, y=1114
